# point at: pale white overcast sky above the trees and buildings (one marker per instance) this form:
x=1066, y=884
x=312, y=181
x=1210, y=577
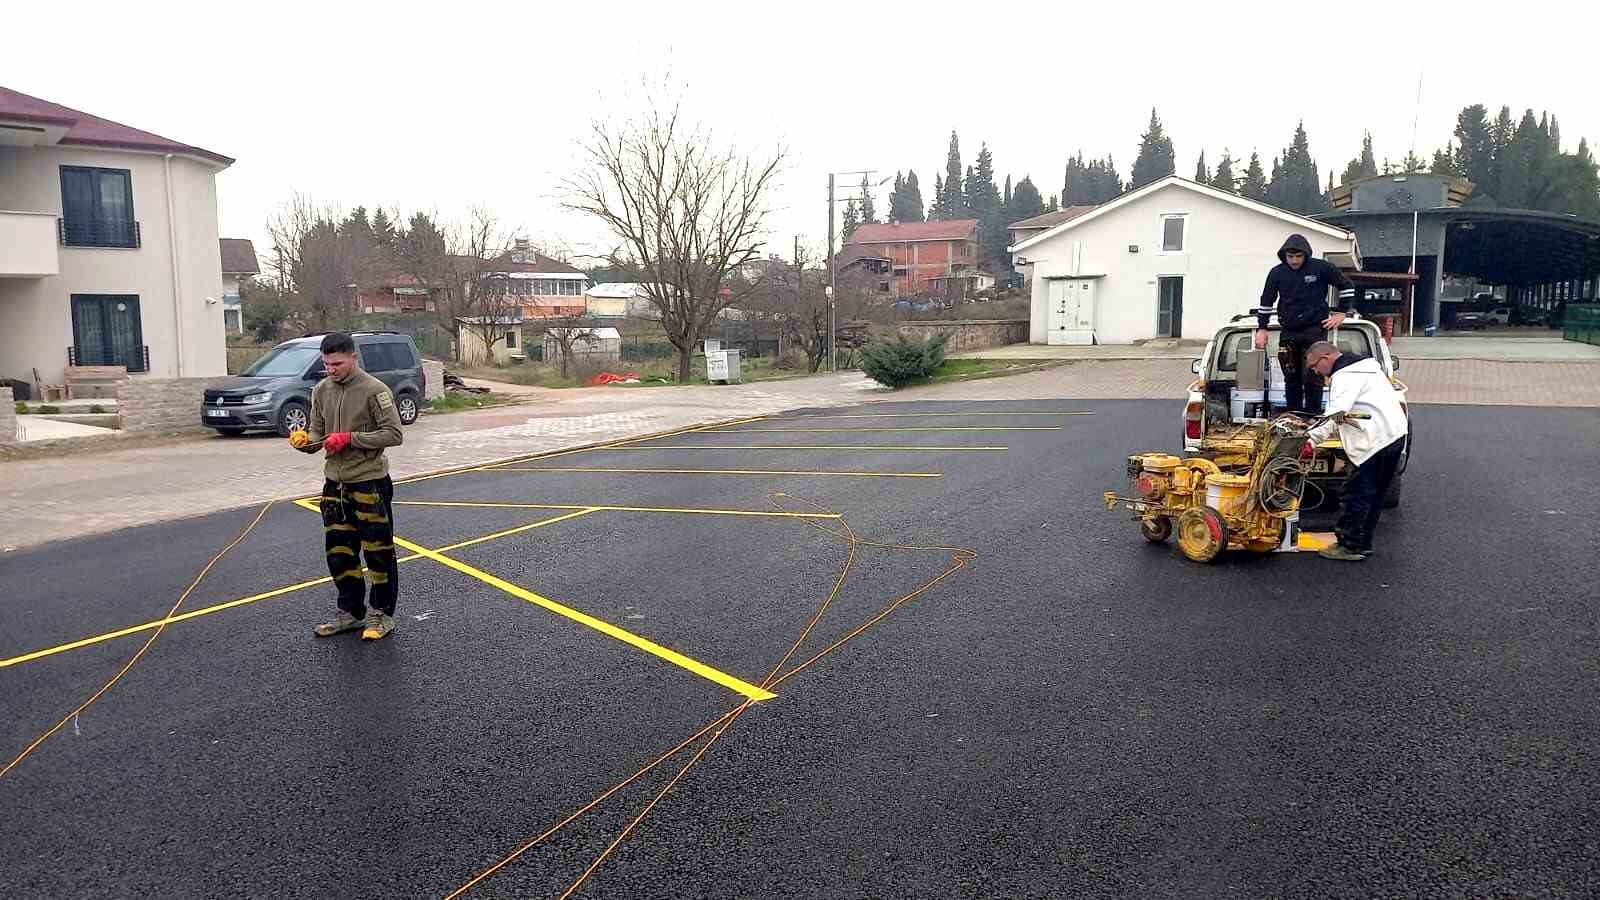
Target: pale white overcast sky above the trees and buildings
x=473, y=103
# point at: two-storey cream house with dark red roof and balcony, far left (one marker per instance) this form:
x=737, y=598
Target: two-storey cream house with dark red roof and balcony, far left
x=108, y=247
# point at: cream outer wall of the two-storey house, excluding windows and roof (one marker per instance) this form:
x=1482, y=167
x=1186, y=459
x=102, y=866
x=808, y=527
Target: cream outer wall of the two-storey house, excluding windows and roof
x=175, y=319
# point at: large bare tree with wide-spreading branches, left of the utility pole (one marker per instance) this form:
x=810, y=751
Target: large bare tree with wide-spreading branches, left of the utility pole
x=686, y=212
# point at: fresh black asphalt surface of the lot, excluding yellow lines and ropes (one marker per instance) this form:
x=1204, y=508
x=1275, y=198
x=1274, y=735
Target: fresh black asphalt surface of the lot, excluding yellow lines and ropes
x=1076, y=713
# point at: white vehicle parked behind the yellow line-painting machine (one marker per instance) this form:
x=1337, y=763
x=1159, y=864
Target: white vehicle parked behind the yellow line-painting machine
x=1215, y=404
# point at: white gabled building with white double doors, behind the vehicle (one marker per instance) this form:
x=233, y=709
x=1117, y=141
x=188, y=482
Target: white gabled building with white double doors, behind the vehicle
x=1170, y=260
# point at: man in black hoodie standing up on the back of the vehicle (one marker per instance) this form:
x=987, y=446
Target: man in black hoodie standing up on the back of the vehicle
x=1300, y=289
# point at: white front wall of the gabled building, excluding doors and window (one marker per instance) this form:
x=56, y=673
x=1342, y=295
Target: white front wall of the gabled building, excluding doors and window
x=1228, y=252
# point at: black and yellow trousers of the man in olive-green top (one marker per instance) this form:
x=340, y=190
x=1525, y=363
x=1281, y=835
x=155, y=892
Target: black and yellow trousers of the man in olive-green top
x=358, y=520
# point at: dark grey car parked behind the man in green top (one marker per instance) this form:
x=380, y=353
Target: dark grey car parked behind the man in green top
x=274, y=393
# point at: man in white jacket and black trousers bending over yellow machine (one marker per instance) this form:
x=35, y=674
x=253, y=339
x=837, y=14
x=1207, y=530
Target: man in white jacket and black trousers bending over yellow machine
x=1374, y=444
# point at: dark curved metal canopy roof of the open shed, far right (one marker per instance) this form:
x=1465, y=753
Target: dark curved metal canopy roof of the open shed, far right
x=1510, y=247
